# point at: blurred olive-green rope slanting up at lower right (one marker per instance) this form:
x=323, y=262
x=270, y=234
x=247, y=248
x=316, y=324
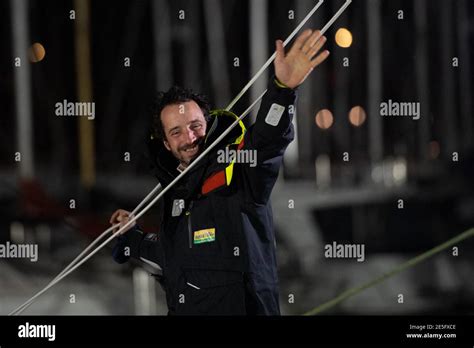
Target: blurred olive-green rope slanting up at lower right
x=400, y=268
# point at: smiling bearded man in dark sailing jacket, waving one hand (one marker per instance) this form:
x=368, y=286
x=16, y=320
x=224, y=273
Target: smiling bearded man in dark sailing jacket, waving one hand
x=216, y=243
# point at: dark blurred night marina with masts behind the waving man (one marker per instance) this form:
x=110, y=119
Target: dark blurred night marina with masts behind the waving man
x=354, y=201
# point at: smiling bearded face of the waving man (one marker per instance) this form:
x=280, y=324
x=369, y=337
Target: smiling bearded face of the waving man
x=184, y=126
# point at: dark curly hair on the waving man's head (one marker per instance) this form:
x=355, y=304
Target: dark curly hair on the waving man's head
x=175, y=95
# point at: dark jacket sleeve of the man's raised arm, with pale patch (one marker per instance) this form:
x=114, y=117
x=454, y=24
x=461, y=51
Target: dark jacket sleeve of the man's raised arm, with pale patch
x=269, y=137
